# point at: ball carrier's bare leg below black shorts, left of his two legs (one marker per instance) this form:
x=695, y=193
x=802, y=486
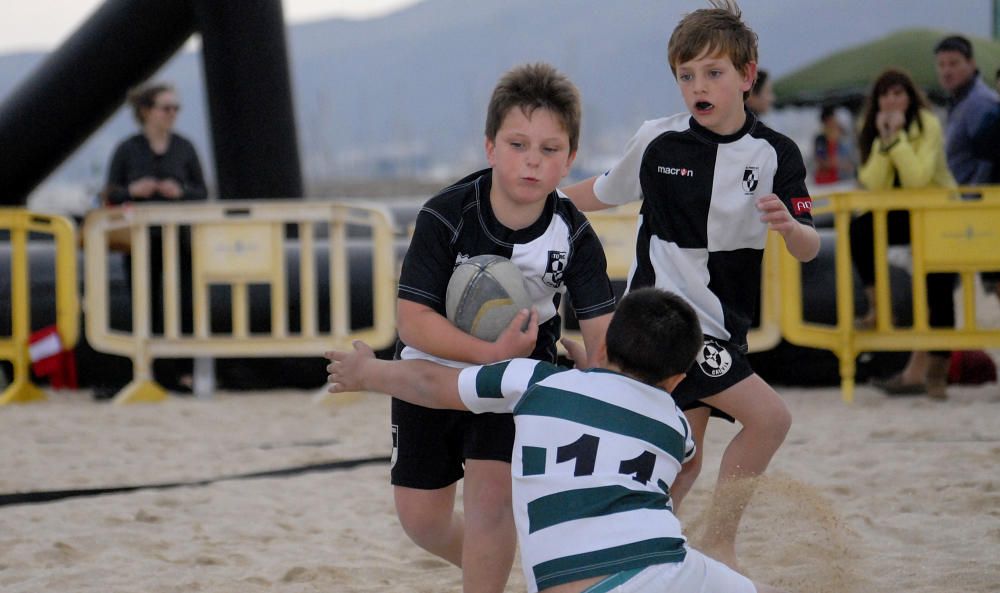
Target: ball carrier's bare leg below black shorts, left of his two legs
x=429, y=518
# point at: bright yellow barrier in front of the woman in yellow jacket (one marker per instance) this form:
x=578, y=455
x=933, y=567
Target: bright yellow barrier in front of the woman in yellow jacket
x=951, y=231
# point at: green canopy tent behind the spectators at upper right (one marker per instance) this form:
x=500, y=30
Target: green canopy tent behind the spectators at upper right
x=845, y=77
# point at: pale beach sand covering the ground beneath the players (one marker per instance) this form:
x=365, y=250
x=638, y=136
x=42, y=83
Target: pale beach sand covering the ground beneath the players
x=882, y=495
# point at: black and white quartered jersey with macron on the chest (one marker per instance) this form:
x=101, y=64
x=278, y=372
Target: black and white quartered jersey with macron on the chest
x=699, y=232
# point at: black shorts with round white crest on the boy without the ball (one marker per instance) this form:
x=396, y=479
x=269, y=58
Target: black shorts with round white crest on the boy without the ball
x=719, y=366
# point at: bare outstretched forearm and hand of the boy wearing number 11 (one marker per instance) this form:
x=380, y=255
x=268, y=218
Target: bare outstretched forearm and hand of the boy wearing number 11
x=419, y=382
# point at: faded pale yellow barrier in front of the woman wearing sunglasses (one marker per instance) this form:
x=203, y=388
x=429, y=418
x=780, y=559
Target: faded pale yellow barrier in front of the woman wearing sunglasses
x=237, y=244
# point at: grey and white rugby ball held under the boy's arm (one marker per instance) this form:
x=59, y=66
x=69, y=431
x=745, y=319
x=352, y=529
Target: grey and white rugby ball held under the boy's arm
x=484, y=294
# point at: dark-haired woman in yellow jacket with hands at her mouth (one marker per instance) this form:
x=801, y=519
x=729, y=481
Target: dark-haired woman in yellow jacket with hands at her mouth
x=902, y=146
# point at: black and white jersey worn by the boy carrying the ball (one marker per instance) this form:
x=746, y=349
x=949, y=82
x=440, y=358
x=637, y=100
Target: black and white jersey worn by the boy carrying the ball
x=558, y=252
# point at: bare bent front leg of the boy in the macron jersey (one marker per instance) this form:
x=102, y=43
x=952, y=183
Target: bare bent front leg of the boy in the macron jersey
x=765, y=421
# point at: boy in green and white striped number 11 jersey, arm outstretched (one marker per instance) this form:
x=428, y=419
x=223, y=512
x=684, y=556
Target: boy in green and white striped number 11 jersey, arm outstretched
x=595, y=451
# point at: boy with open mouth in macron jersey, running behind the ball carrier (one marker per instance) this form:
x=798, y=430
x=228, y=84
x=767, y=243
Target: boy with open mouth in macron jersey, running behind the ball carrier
x=712, y=182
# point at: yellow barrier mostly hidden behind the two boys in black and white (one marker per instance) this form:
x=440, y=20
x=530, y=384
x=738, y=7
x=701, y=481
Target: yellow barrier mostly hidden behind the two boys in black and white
x=616, y=229
